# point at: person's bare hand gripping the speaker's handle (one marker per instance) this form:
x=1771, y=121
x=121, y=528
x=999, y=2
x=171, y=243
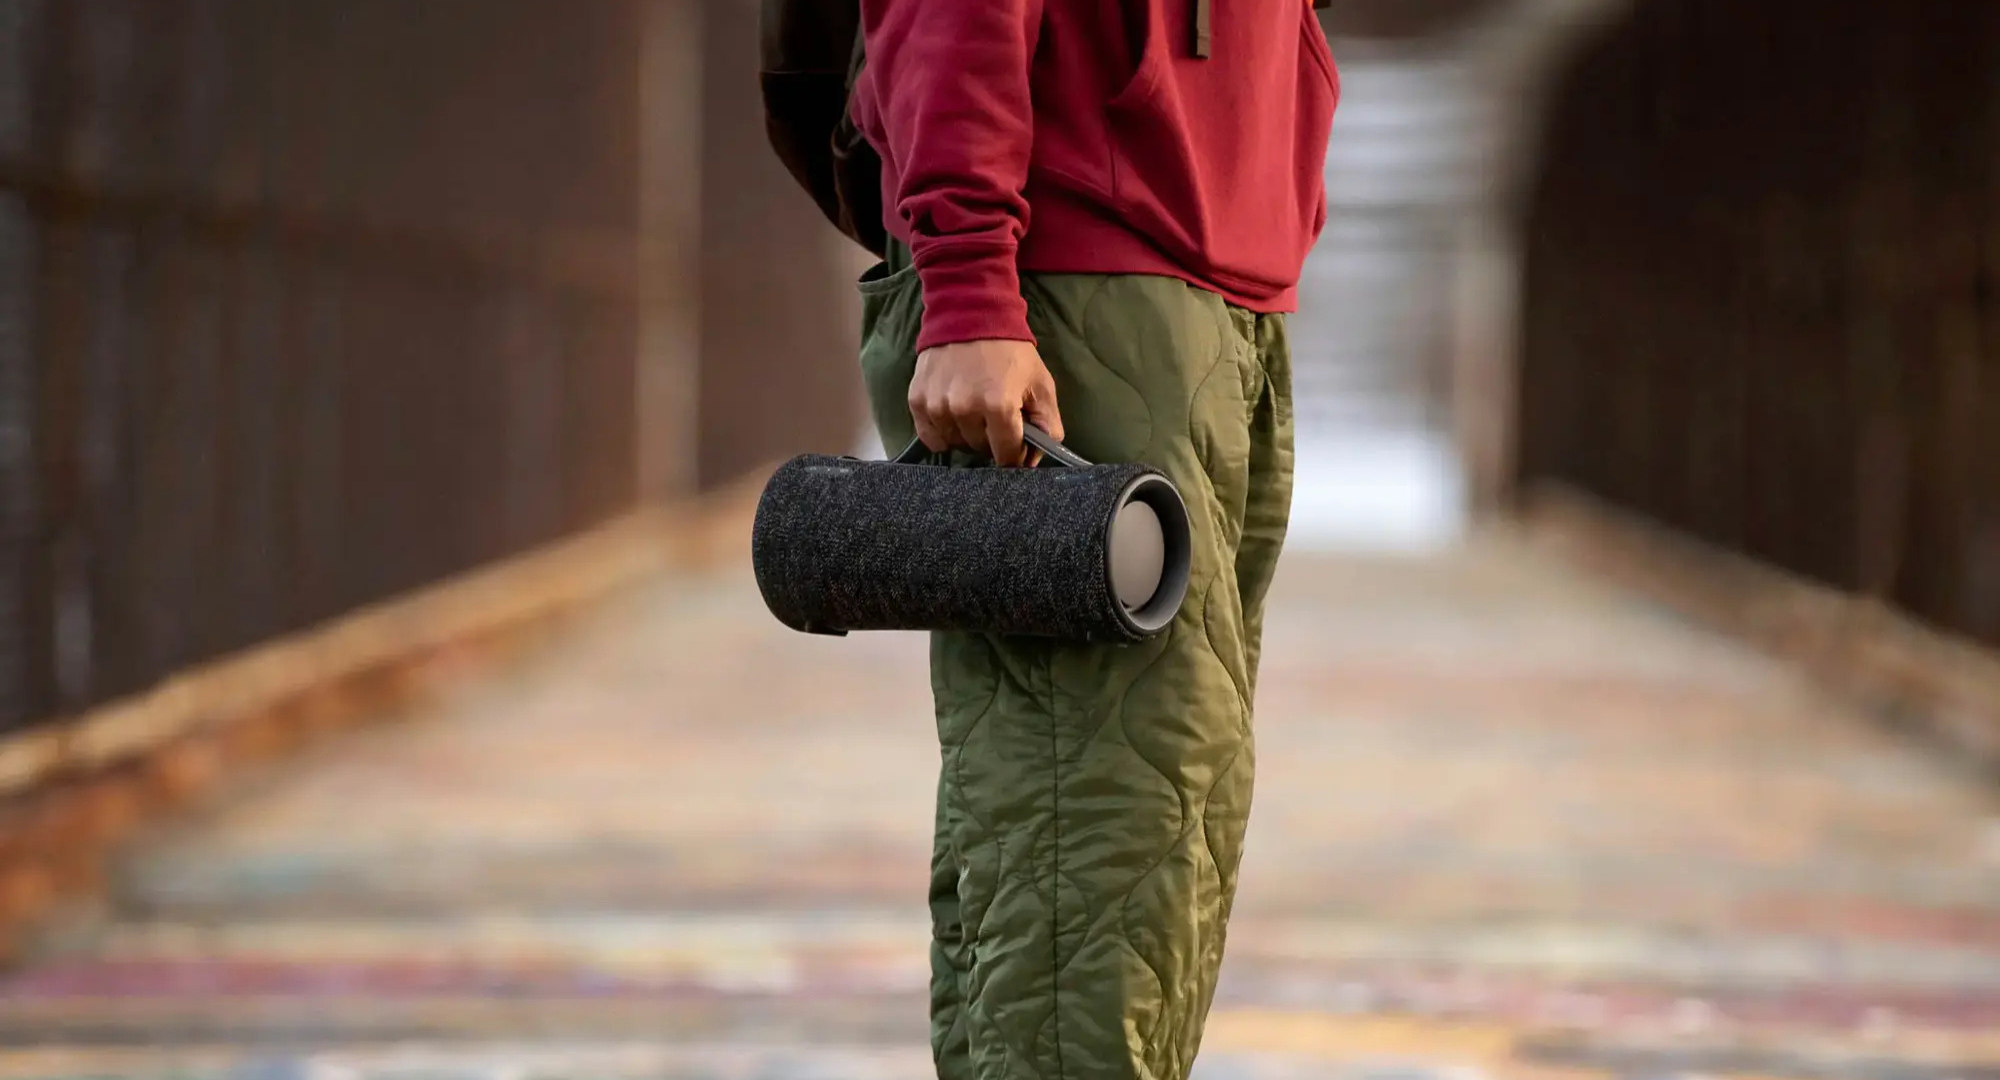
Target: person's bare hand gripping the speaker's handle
x=977, y=395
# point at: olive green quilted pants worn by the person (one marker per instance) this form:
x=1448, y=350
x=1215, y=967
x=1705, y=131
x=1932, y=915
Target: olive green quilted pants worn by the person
x=1093, y=799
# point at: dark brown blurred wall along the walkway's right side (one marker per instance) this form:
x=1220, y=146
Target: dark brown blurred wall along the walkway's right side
x=1759, y=291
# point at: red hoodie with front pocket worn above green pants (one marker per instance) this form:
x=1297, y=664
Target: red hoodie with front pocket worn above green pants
x=1093, y=137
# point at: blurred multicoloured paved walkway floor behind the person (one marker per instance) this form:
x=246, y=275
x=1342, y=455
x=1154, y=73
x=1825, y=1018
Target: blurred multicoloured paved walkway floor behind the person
x=1507, y=825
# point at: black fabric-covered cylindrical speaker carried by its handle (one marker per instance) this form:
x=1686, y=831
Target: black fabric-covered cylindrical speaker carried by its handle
x=1089, y=553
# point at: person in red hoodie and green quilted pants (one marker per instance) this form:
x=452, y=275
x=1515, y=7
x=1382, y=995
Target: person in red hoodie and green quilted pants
x=1099, y=215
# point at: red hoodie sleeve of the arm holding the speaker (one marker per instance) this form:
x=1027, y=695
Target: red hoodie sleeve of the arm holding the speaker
x=959, y=127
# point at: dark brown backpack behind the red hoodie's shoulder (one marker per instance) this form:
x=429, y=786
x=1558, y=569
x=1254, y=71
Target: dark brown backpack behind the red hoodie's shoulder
x=811, y=57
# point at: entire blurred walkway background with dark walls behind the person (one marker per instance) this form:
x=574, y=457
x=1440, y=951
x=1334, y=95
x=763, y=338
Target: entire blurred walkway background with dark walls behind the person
x=383, y=691
